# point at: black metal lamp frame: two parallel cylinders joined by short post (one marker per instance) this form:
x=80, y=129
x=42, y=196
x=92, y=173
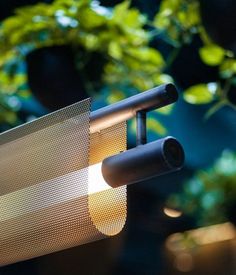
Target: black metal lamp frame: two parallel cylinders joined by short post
x=146, y=160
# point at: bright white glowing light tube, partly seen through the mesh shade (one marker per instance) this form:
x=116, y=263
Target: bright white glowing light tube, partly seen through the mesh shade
x=65, y=188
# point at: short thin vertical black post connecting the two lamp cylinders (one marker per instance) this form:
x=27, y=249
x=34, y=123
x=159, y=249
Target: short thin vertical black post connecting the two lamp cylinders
x=141, y=129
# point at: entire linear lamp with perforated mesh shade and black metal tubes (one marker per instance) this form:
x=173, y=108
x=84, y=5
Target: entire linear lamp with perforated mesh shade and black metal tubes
x=64, y=176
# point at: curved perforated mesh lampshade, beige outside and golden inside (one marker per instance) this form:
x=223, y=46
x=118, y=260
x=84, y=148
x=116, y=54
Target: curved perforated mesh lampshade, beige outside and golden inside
x=44, y=202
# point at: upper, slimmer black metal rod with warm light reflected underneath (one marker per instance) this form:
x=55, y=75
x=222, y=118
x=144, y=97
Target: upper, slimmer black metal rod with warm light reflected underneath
x=127, y=108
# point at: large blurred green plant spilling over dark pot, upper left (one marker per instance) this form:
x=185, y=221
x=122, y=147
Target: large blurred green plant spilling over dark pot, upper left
x=117, y=34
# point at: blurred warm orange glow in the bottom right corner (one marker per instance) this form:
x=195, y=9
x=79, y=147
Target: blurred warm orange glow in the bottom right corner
x=202, y=236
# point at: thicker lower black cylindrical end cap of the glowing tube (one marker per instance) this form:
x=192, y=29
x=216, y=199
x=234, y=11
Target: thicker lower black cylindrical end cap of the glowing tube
x=143, y=162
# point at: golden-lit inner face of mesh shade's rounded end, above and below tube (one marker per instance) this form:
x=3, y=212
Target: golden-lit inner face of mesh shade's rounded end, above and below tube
x=106, y=143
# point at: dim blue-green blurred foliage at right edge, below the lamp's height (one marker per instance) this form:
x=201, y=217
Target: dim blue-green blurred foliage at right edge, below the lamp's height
x=210, y=195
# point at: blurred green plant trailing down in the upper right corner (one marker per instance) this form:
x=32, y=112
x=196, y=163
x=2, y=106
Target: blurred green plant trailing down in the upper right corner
x=180, y=20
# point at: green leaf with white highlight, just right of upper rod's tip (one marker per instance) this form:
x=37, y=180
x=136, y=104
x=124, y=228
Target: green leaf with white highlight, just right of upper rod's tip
x=201, y=93
